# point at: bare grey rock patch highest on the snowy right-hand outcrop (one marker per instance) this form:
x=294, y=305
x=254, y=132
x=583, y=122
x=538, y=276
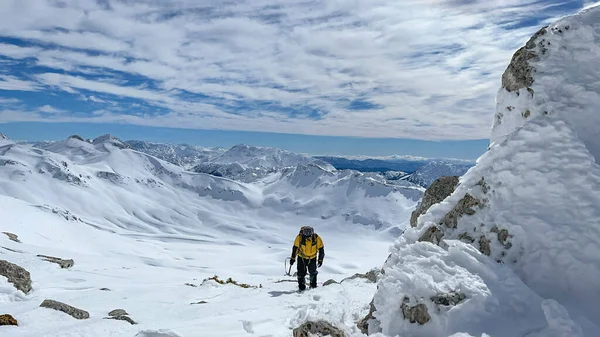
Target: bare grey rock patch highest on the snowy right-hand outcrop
x=518, y=74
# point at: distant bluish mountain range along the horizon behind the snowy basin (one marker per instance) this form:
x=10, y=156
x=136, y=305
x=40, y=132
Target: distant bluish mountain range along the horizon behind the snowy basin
x=247, y=163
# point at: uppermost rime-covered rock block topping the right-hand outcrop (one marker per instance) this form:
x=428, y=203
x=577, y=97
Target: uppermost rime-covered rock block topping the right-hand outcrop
x=555, y=74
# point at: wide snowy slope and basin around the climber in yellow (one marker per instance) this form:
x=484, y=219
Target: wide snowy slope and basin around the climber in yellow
x=139, y=228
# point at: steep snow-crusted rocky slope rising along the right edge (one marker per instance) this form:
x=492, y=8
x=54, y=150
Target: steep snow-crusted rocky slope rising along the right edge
x=515, y=250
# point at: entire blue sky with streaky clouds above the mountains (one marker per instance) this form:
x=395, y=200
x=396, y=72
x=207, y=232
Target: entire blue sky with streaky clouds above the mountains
x=371, y=77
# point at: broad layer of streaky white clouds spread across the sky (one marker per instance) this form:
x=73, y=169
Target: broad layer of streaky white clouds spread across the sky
x=431, y=66
